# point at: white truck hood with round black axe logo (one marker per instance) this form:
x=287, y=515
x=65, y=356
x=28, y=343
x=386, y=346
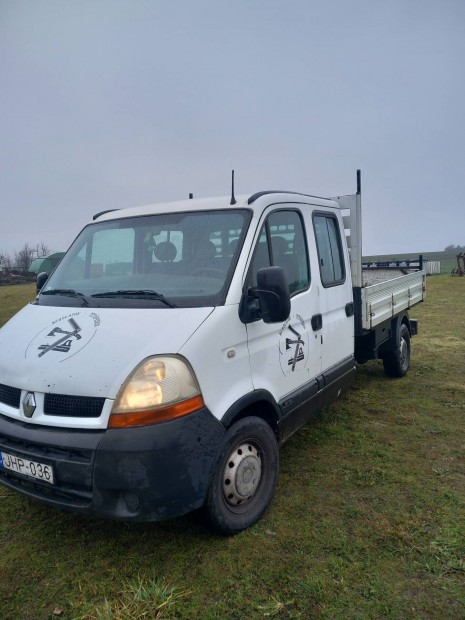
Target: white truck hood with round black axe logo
x=88, y=351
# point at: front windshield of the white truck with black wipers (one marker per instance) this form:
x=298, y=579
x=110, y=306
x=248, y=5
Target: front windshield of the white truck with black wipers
x=165, y=261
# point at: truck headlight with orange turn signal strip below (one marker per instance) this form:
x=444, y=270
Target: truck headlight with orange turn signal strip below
x=161, y=388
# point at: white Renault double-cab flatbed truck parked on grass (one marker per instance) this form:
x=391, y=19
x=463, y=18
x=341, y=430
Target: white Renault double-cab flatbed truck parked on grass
x=176, y=346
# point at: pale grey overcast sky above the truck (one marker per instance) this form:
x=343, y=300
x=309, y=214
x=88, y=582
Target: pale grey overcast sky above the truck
x=116, y=103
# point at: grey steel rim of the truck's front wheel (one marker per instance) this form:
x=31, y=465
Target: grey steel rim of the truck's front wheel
x=242, y=474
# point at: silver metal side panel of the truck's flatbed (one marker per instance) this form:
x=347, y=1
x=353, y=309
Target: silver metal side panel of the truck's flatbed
x=385, y=300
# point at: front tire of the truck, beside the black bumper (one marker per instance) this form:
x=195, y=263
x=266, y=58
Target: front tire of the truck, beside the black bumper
x=244, y=479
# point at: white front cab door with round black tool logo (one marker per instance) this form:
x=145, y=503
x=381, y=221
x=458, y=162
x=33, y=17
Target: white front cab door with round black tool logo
x=285, y=358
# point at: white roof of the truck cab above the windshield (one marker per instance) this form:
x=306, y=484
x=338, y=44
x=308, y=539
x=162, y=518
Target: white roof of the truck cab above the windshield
x=256, y=202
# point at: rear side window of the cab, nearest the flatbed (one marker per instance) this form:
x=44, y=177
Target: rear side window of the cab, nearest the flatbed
x=330, y=256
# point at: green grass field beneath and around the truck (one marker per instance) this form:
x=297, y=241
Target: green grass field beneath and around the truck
x=367, y=522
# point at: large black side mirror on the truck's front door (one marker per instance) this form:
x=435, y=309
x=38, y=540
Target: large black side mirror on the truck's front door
x=269, y=300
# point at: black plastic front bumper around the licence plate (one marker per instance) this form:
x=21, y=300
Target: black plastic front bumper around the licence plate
x=138, y=474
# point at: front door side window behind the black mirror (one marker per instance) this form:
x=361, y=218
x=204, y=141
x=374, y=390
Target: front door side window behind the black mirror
x=282, y=243
